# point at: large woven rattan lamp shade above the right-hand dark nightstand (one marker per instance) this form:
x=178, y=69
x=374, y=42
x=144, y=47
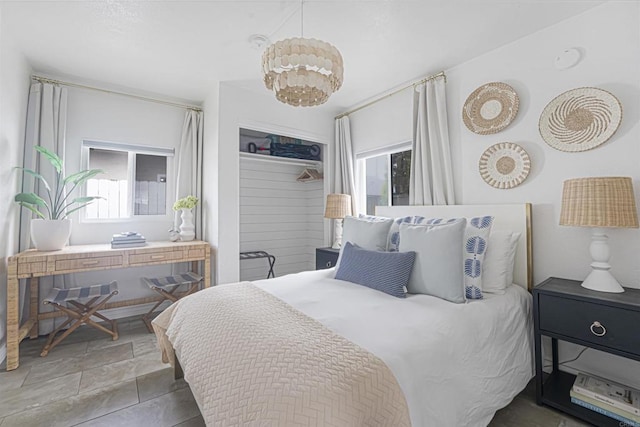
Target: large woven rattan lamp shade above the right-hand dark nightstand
x=599, y=202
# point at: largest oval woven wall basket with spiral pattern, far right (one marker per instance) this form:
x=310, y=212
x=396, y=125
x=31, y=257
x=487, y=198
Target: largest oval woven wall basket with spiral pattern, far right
x=580, y=119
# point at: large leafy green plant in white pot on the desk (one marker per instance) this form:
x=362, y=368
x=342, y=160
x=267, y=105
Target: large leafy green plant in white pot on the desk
x=51, y=230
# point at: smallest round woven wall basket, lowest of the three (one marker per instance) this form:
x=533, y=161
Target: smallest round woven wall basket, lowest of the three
x=504, y=165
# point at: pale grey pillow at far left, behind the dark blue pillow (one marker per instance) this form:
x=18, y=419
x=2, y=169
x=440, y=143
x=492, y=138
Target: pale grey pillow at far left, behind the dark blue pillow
x=368, y=233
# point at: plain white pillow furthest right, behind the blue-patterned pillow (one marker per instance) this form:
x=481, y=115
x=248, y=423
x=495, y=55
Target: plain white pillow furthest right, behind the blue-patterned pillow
x=499, y=261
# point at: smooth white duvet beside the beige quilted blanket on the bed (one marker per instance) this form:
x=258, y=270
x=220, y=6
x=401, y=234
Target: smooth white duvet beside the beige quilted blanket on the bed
x=456, y=363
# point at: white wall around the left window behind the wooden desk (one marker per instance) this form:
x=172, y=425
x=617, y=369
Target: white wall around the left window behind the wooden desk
x=97, y=116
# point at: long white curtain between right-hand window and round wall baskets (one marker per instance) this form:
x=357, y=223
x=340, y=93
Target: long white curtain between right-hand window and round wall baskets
x=431, y=181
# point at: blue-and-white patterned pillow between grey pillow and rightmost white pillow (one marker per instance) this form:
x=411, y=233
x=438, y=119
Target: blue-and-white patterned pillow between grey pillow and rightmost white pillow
x=476, y=236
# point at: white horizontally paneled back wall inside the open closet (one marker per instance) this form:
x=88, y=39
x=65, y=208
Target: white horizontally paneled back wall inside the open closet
x=279, y=215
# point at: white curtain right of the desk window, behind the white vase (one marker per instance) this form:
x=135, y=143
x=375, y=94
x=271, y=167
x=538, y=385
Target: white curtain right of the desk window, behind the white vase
x=189, y=165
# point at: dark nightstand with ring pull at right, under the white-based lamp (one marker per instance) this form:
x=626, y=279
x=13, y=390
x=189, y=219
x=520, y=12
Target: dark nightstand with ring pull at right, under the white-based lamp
x=564, y=310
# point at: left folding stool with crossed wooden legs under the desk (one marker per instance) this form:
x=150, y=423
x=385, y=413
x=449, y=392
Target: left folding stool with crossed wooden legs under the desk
x=98, y=296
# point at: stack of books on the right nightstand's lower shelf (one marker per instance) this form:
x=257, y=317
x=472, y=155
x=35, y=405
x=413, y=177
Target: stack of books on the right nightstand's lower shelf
x=608, y=398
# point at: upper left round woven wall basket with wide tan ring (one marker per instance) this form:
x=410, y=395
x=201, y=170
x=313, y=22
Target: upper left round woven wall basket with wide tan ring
x=490, y=108
